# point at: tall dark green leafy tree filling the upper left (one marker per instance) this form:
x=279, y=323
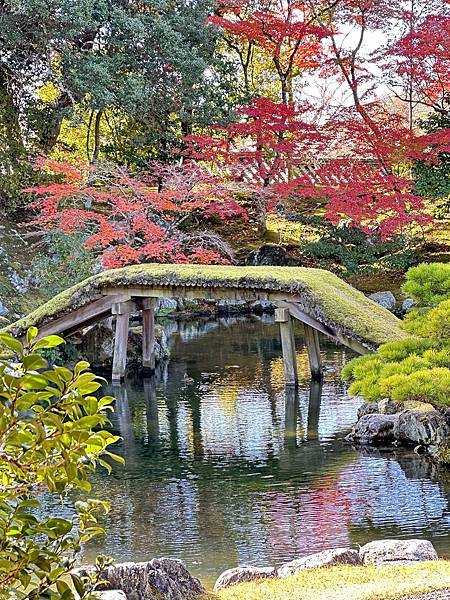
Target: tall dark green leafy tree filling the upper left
x=151, y=62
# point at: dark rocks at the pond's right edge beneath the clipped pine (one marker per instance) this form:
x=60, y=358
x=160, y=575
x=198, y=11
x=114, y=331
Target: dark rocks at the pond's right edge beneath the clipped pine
x=415, y=425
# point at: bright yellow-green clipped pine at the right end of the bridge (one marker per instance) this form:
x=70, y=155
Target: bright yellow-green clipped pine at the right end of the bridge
x=415, y=369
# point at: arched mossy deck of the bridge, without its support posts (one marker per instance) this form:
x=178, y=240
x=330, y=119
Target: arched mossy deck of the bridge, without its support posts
x=331, y=305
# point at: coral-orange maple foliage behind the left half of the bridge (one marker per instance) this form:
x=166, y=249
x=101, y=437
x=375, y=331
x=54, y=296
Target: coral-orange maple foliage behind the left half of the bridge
x=128, y=219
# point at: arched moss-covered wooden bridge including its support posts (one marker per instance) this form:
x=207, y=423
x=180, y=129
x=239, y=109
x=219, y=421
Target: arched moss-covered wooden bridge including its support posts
x=320, y=300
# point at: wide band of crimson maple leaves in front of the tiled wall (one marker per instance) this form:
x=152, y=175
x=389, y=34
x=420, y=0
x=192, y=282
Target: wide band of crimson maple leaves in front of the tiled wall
x=357, y=174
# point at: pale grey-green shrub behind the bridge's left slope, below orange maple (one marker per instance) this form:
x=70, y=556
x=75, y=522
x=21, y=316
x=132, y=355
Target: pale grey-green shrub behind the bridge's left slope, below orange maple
x=66, y=262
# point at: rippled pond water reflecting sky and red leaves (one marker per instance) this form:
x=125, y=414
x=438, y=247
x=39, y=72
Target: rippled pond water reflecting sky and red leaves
x=226, y=467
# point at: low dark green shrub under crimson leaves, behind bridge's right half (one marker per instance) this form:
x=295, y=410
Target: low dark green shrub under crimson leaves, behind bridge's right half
x=351, y=250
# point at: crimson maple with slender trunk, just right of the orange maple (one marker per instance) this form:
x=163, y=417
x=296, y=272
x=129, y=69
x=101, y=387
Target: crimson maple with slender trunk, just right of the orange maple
x=255, y=154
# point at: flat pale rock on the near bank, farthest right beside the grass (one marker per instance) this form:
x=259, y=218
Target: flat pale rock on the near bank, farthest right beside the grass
x=381, y=552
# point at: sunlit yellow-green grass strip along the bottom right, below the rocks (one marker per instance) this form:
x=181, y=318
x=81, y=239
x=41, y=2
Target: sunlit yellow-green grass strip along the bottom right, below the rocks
x=346, y=583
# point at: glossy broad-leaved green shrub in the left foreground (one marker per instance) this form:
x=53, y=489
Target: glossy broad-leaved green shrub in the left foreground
x=51, y=438
